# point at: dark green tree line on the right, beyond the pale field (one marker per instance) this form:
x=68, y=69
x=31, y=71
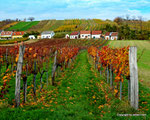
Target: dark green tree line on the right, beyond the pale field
x=131, y=28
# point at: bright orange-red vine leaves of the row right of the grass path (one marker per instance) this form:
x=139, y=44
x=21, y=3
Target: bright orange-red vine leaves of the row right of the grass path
x=115, y=58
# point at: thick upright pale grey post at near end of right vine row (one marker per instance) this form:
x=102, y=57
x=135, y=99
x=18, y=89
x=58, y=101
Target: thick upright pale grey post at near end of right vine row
x=134, y=87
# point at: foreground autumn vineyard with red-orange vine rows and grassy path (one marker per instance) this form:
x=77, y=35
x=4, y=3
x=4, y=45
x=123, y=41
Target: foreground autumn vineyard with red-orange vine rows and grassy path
x=67, y=79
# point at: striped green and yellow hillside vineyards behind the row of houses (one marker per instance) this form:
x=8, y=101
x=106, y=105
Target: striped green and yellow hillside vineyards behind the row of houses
x=67, y=25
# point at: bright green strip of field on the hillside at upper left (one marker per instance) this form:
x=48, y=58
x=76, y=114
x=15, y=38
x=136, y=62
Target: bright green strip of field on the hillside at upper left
x=23, y=26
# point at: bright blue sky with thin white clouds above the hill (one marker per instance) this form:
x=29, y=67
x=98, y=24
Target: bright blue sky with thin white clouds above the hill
x=73, y=9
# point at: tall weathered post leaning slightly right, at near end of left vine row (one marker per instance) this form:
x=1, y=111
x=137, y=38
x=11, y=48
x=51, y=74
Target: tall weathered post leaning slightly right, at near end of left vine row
x=18, y=74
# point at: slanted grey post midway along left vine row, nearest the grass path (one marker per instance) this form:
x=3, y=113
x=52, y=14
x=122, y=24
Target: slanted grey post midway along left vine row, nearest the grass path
x=54, y=68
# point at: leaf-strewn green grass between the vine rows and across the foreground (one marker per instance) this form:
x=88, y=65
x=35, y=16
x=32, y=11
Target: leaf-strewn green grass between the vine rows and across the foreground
x=80, y=94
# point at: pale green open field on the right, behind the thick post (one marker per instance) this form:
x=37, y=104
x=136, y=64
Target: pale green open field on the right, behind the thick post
x=144, y=59
